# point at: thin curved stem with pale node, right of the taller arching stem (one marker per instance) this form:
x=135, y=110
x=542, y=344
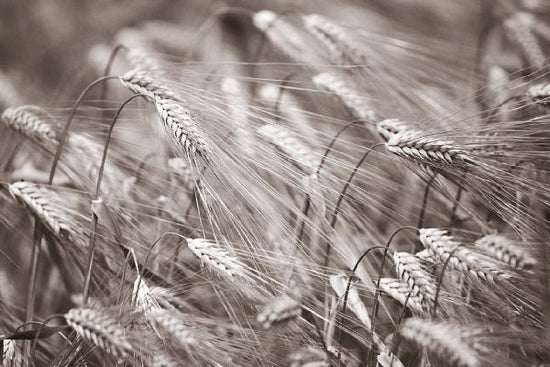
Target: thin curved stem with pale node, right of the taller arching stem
x=91, y=246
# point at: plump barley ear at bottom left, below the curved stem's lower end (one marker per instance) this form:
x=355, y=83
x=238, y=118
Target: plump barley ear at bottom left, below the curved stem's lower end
x=96, y=326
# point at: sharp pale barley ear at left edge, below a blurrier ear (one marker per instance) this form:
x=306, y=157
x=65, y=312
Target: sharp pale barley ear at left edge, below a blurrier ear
x=45, y=204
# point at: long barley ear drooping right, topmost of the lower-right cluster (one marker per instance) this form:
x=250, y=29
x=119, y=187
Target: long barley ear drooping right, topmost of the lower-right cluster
x=463, y=259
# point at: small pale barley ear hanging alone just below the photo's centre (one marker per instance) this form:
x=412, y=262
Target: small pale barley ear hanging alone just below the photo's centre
x=215, y=257
